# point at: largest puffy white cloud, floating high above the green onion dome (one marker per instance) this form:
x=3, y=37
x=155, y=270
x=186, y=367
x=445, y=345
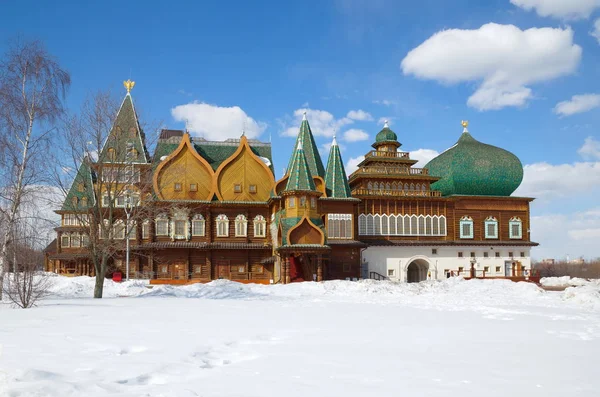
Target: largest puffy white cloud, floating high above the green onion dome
x=503, y=58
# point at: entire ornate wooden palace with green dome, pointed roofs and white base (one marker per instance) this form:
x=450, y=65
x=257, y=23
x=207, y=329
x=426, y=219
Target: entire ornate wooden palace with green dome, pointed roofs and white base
x=204, y=210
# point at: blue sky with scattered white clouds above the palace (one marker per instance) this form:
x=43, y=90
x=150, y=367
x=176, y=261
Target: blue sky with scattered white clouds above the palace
x=504, y=65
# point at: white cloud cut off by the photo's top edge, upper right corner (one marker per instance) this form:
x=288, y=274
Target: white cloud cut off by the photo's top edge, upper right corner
x=563, y=9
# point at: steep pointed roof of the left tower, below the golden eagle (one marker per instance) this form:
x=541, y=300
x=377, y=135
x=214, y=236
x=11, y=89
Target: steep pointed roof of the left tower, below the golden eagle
x=125, y=135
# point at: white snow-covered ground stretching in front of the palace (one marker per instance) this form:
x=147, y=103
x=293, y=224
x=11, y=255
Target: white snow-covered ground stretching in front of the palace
x=338, y=338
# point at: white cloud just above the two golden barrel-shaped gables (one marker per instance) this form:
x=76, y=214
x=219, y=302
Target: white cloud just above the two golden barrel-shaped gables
x=217, y=123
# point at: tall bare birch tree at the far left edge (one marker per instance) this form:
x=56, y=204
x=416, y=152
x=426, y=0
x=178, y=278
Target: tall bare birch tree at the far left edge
x=33, y=86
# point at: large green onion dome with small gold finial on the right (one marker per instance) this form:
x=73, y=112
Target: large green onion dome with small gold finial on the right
x=476, y=169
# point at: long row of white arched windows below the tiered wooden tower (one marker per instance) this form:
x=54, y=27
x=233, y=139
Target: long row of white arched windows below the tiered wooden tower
x=401, y=225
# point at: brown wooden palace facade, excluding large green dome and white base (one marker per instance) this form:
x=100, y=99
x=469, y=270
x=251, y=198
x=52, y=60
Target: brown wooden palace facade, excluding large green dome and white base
x=213, y=210
